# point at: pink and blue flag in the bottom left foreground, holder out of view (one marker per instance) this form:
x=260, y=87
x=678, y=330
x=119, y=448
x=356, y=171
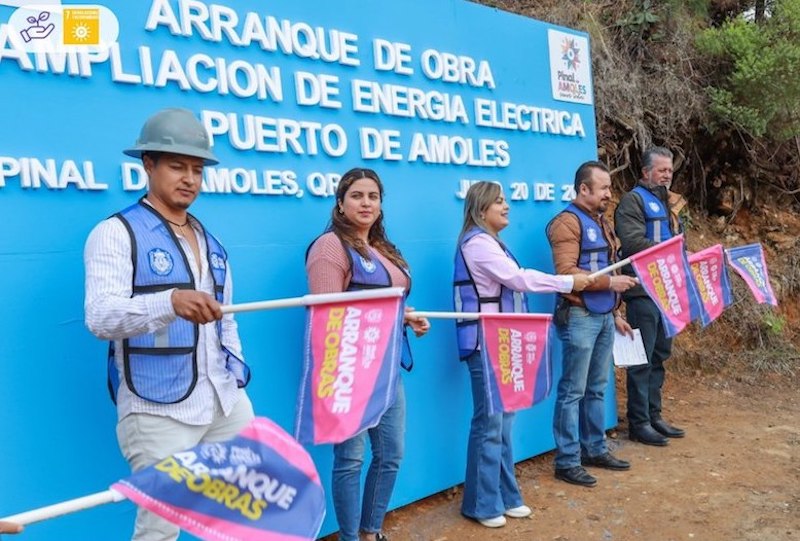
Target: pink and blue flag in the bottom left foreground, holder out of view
x=259, y=486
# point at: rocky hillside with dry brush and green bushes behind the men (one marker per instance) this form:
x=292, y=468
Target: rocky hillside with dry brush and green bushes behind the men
x=717, y=82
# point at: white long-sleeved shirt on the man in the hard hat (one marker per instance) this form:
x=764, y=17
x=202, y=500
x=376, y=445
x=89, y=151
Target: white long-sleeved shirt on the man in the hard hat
x=112, y=314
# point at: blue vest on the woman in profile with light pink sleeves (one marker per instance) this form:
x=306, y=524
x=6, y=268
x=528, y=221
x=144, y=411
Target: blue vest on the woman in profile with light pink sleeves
x=467, y=299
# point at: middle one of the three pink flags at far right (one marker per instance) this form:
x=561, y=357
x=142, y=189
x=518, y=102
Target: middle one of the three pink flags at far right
x=713, y=284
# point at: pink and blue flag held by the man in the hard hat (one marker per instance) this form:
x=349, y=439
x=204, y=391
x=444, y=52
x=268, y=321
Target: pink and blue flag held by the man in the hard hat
x=351, y=358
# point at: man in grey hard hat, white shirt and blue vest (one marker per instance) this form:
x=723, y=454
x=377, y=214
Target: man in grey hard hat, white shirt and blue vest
x=155, y=283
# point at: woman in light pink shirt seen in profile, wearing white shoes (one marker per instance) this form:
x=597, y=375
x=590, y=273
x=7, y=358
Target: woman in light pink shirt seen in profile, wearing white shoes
x=488, y=278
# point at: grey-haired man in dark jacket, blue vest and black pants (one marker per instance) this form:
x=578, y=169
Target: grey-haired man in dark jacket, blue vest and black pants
x=647, y=215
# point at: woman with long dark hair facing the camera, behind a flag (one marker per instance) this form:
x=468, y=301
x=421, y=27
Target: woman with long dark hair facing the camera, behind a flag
x=354, y=253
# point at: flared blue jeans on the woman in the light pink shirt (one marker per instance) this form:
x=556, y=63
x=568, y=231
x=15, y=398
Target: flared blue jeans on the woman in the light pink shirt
x=490, y=486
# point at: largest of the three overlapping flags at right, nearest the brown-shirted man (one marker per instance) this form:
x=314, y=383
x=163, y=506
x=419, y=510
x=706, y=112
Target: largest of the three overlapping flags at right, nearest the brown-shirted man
x=665, y=275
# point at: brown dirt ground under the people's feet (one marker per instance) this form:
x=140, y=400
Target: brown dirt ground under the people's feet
x=734, y=477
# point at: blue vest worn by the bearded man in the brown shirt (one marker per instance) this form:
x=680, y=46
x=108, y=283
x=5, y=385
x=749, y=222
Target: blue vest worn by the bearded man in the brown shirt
x=595, y=255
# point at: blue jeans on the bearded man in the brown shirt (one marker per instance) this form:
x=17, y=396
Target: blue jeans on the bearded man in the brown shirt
x=578, y=420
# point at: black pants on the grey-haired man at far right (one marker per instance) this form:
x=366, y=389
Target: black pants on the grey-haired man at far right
x=645, y=381
